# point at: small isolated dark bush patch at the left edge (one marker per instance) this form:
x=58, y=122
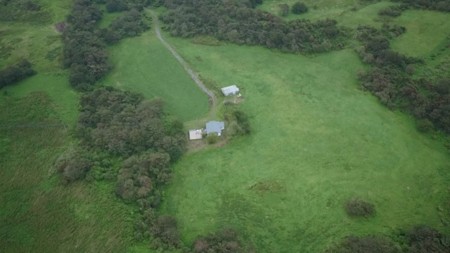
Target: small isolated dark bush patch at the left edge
x=15, y=73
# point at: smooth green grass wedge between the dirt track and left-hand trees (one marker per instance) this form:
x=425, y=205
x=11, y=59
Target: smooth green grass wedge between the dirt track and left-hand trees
x=145, y=66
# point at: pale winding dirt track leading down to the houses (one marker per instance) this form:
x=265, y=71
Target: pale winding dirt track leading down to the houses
x=187, y=68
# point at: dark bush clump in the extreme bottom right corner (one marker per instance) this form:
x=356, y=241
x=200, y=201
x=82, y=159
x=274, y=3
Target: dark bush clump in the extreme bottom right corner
x=423, y=239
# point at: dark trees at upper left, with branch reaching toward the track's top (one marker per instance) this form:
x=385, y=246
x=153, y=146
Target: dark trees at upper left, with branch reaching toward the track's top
x=85, y=44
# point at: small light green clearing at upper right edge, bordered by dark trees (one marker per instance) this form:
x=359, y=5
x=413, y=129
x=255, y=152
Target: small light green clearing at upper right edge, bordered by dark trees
x=426, y=32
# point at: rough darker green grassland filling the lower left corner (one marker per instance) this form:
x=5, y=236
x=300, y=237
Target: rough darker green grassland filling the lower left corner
x=38, y=214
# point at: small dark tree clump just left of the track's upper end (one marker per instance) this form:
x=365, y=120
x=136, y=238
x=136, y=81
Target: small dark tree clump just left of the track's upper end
x=130, y=24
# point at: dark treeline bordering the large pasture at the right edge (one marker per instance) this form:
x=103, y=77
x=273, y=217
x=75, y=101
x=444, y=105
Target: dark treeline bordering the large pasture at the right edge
x=391, y=80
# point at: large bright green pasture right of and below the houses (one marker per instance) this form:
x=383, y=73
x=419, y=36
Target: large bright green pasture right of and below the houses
x=317, y=140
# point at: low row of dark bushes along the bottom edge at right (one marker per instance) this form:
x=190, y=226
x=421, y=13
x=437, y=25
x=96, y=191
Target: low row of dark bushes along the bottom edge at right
x=420, y=239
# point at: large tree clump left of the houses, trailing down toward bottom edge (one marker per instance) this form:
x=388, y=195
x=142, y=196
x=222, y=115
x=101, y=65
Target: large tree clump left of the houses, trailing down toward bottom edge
x=124, y=125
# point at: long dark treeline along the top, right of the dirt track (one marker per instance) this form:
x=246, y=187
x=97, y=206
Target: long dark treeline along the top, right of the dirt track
x=238, y=22
